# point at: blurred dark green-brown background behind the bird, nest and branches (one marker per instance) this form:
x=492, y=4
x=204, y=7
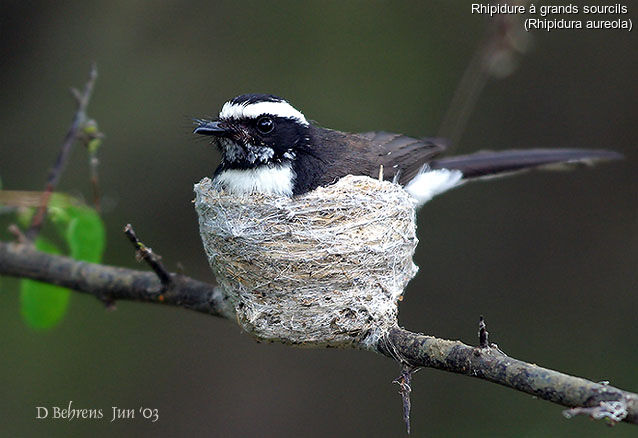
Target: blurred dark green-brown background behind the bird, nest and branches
x=548, y=258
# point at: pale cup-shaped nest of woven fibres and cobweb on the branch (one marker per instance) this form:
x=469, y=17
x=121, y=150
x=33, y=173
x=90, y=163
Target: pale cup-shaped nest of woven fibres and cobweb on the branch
x=322, y=269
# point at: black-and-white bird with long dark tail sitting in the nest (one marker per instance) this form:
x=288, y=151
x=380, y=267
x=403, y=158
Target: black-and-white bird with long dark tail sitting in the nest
x=268, y=146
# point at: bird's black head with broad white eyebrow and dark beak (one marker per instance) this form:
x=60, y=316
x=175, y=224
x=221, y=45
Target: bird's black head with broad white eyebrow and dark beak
x=254, y=130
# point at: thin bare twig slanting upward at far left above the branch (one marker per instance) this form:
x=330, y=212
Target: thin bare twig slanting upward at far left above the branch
x=82, y=100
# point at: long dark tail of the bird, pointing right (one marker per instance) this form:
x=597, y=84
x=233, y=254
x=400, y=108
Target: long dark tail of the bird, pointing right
x=486, y=164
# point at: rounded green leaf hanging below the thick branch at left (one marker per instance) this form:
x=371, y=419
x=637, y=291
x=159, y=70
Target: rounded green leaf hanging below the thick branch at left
x=43, y=305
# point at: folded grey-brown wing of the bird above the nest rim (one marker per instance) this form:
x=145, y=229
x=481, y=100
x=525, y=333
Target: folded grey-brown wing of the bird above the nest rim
x=402, y=157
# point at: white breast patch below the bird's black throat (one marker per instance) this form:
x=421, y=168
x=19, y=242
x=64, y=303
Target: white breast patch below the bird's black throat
x=277, y=180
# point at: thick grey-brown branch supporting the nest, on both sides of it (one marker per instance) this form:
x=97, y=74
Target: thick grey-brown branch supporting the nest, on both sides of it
x=109, y=283
